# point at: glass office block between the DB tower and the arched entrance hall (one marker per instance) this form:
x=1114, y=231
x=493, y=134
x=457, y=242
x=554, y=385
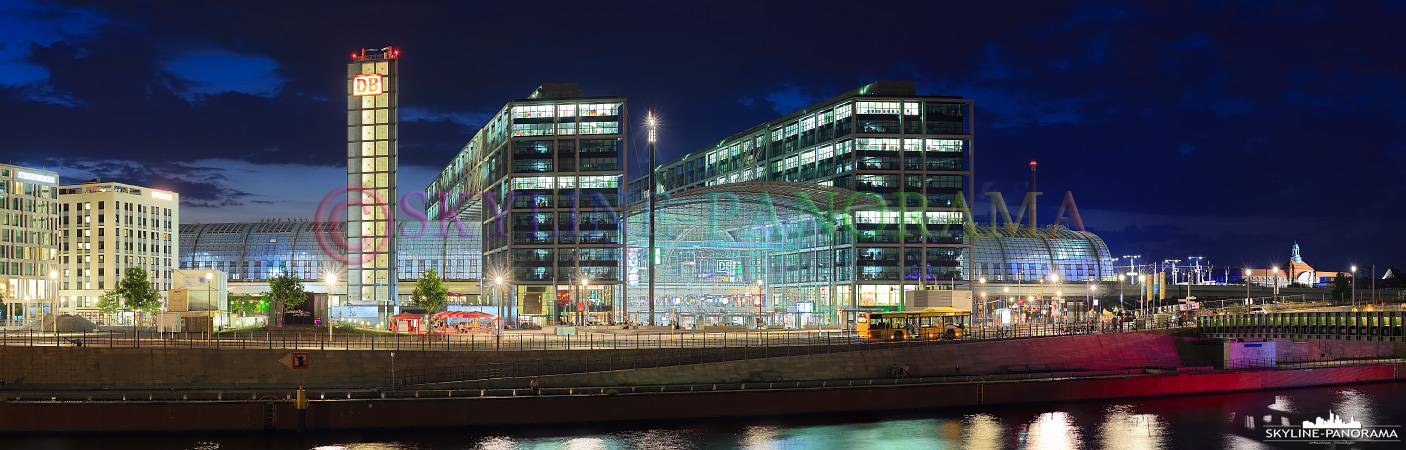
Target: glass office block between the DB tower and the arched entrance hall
x=543, y=185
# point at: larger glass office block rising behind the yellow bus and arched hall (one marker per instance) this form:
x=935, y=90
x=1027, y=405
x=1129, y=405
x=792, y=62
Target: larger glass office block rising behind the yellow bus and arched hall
x=910, y=153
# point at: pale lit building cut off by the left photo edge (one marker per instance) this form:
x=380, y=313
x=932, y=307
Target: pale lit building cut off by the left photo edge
x=29, y=241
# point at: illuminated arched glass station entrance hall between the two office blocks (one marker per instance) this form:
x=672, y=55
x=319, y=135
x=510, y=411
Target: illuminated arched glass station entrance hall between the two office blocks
x=746, y=254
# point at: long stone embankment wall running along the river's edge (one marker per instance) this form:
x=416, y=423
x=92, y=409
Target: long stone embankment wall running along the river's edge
x=23, y=368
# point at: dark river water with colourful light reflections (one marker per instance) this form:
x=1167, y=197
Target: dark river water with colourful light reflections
x=1230, y=421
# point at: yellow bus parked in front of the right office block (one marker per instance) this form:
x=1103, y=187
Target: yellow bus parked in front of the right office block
x=929, y=324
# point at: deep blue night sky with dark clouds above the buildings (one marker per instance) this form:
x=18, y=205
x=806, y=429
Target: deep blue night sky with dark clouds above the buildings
x=1215, y=129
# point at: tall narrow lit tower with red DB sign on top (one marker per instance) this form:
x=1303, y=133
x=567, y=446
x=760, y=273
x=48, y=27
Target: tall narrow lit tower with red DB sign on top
x=372, y=172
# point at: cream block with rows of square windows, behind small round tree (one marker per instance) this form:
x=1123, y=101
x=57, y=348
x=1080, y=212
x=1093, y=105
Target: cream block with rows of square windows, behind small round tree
x=106, y=229
